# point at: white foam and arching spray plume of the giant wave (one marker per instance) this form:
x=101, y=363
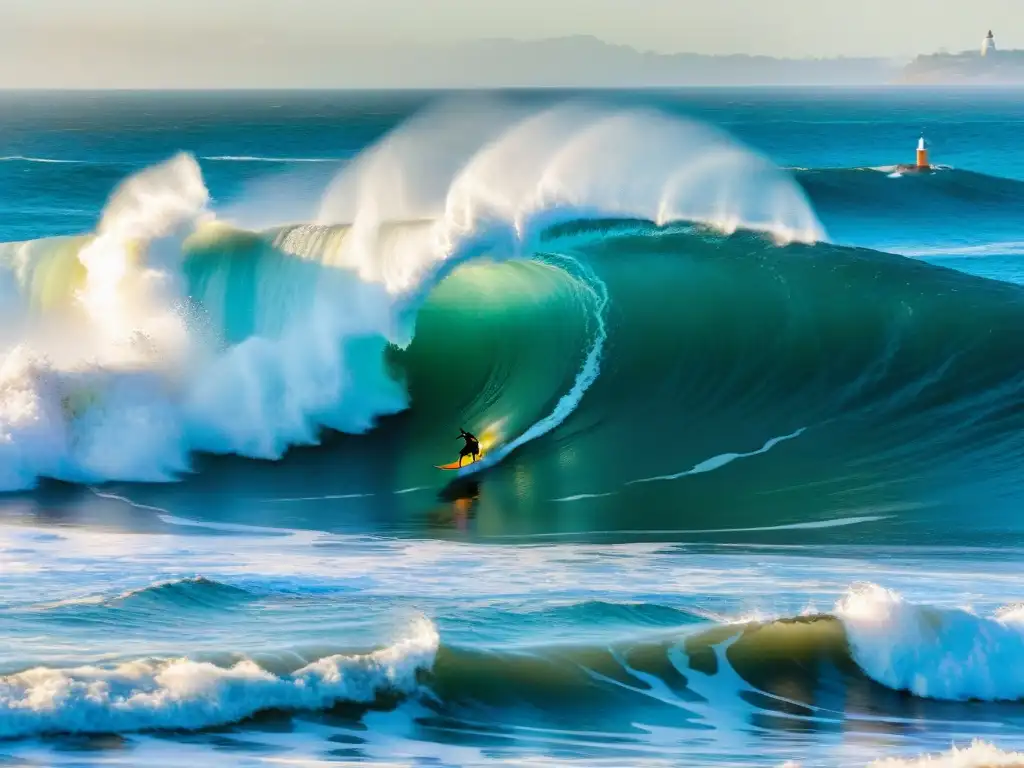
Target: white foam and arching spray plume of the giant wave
x=135, y=385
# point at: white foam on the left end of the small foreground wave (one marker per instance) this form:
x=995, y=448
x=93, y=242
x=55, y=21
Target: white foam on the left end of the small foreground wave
x=177, y=695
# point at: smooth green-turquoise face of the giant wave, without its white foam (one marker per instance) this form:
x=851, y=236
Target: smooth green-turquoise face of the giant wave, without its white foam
x=648, y=375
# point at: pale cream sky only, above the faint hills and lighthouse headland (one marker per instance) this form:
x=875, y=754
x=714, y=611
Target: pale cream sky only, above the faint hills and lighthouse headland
x=54, y=42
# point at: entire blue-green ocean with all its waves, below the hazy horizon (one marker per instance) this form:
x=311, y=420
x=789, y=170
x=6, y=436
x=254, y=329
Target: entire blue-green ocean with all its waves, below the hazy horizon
x=752, y=403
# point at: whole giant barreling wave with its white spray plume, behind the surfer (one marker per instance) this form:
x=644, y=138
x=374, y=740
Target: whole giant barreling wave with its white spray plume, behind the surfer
x=648, y=315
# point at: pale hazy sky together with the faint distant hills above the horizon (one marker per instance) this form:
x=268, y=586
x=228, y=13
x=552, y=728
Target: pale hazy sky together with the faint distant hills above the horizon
x=466, y=44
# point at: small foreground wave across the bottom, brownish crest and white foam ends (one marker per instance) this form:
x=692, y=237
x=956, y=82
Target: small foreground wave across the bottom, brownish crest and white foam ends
x=845, y=670
